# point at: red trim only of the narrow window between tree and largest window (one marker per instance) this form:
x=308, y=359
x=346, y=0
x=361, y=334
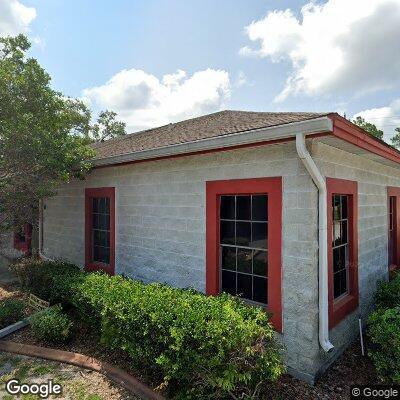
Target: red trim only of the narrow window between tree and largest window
x=89, y=195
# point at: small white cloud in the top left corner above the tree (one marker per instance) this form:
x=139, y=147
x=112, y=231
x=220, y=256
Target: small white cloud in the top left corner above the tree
x=15, y=17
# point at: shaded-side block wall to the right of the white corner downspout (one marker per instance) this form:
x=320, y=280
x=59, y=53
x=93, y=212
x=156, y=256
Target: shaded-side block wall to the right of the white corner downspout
x=373, y=179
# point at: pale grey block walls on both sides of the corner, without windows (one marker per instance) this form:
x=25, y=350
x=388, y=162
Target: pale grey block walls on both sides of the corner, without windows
x=161, y=232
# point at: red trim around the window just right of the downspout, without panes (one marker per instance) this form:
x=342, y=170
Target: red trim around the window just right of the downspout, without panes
x=339, y=309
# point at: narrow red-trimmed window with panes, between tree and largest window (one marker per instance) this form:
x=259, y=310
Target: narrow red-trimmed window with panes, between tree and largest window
x=100, y=229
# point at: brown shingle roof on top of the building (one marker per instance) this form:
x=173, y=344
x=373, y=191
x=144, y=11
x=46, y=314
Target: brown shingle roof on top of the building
x=204, y=127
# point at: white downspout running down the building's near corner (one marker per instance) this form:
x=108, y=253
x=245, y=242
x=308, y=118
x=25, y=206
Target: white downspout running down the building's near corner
x=319, y=181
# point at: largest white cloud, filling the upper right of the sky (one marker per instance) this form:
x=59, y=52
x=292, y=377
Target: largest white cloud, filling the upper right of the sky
x=339, y=47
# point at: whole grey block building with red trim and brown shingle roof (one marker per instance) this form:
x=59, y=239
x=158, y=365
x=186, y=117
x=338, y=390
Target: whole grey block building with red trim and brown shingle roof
x=296, y=212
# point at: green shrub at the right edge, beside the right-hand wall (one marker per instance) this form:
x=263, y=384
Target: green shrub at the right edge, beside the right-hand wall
x=384, y=331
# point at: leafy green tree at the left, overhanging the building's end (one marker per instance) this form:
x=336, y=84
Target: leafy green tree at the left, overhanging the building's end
x=42, y=135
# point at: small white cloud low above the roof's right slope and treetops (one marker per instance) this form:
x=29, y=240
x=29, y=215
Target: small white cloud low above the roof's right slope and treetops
x=386, y=118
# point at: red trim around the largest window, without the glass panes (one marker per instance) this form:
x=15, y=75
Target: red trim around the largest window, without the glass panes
x=272, y=187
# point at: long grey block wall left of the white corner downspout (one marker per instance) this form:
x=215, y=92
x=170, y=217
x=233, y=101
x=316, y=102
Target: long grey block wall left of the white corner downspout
x=161, y=232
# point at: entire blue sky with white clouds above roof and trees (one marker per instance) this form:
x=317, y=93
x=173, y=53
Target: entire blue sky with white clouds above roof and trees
x=161, y=61
